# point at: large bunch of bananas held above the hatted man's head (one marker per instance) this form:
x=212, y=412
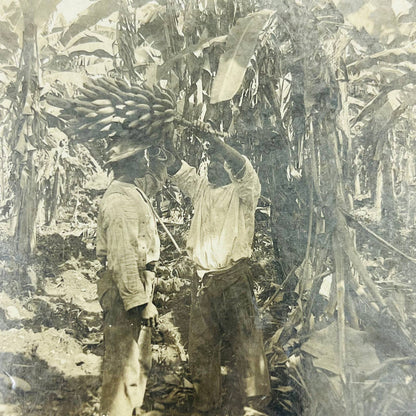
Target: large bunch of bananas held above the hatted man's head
x=108, y=107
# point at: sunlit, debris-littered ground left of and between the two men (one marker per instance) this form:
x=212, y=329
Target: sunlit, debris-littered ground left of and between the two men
x=51, y=329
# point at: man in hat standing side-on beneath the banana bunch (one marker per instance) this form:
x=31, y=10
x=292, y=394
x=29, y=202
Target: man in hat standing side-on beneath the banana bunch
x=128, y=246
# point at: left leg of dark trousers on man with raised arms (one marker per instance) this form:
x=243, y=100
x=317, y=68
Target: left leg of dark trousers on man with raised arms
x=204, y=354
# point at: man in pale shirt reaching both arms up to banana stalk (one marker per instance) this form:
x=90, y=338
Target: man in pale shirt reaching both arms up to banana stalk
x=223, y=307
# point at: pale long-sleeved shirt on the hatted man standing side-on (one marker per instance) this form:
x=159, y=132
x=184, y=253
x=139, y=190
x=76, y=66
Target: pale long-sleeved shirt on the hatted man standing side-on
x=127, y=236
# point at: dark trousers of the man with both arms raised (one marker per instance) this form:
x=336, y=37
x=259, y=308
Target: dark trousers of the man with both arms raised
x=224, y=310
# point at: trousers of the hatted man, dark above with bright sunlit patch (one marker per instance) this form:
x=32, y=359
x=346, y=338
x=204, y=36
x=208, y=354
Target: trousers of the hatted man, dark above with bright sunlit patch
x=125, y=364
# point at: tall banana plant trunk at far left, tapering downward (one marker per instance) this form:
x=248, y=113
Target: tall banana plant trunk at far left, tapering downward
x=28, y=126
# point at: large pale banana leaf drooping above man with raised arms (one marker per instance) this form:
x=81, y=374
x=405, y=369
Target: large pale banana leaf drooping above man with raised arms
x=240, y=46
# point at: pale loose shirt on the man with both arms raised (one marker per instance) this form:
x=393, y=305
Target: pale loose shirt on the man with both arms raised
x=222, y=227
